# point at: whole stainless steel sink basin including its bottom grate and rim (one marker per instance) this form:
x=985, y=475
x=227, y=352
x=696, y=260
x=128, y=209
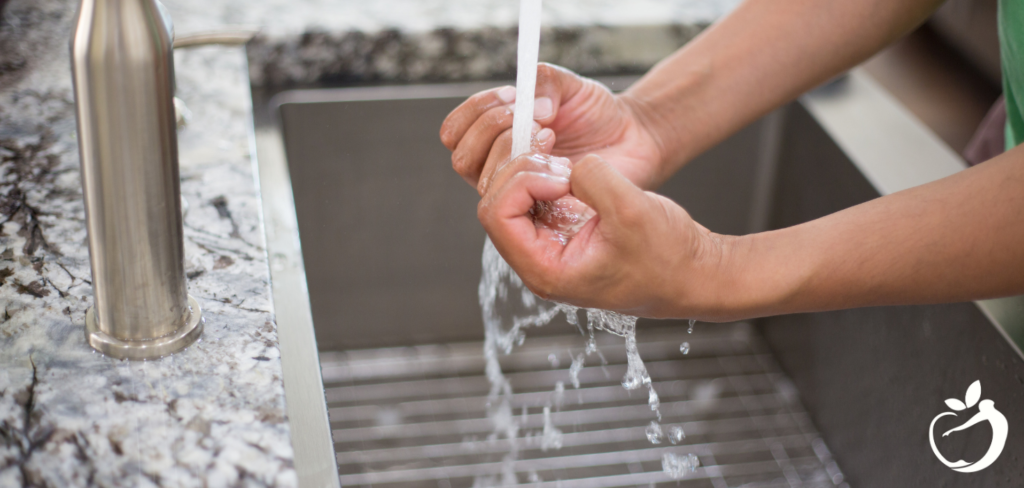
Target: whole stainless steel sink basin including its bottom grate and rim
x=391, y=258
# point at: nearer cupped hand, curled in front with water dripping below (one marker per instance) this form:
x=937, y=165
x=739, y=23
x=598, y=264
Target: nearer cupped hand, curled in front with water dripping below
x=642, y=254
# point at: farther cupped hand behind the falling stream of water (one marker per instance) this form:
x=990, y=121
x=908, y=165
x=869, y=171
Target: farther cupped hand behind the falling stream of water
x=584, y=114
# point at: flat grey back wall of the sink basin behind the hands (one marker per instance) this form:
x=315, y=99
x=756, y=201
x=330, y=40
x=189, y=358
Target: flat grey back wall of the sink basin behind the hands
x=390, y=232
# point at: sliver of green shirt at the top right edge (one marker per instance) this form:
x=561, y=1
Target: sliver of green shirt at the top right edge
x=1012, y=56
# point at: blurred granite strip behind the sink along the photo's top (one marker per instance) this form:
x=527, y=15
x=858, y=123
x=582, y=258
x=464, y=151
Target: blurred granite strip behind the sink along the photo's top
x=314, y=41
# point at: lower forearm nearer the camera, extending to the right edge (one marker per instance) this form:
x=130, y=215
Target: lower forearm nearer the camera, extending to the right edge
x=955, y=240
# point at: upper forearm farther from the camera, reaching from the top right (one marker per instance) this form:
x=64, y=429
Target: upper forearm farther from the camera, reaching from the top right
x=762, y=56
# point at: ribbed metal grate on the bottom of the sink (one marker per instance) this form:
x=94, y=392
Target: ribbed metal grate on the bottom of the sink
x=415, y=417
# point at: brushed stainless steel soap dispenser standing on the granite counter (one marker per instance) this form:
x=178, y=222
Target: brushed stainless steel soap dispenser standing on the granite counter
x=123, y=69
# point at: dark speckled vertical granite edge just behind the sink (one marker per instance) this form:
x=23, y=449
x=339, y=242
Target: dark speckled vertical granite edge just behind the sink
x=440, y=56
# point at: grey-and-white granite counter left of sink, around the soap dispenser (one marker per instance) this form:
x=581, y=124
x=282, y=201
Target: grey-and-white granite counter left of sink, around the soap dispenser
x=211, y=416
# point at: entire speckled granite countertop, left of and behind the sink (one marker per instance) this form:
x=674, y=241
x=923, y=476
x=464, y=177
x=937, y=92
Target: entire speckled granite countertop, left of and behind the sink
x=215, y=415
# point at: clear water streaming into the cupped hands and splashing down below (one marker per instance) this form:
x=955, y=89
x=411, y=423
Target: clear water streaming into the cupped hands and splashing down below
x=508, y=307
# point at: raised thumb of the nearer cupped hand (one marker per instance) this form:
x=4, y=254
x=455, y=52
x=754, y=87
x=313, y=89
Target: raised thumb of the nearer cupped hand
x=603, y=188
